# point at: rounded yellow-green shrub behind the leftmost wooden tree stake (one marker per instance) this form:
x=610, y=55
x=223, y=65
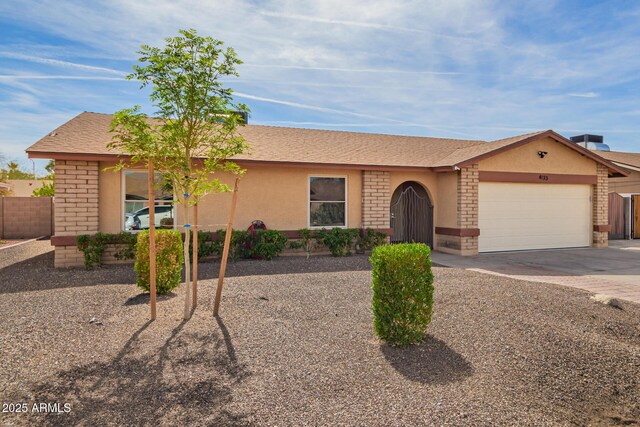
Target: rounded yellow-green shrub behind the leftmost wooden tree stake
x=169, y=260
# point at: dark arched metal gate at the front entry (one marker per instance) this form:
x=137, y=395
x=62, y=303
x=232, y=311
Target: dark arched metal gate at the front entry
x=411, y=214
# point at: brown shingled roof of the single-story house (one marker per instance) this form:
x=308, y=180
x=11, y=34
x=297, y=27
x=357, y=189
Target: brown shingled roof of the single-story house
x=87, y=136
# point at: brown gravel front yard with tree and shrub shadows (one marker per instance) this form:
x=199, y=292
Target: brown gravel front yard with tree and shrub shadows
x=298, y=349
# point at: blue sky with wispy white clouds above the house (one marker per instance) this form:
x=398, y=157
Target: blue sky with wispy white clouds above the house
x=471, y=69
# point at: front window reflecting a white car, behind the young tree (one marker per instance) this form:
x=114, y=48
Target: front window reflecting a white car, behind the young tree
x=136, y=201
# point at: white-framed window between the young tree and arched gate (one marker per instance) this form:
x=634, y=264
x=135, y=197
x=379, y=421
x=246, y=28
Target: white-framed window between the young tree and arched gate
x=327, y=201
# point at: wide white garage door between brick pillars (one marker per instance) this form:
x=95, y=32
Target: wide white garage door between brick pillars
x=533, y=216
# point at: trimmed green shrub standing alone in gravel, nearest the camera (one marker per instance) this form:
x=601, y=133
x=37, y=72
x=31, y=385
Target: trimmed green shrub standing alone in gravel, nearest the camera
x=402, y=285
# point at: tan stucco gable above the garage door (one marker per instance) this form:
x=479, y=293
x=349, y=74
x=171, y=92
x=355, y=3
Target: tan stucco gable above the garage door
x=559, y=159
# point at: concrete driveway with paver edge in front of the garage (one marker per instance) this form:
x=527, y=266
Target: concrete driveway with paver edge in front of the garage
x=612, y=271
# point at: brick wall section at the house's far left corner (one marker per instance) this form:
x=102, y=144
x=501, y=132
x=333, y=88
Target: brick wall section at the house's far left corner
x=76, y=207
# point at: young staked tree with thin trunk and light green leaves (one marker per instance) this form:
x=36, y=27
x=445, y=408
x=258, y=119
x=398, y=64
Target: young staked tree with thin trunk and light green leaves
x=194, y=131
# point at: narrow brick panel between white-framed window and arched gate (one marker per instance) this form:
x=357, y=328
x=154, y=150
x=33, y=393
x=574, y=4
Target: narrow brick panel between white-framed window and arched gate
x=376, y=196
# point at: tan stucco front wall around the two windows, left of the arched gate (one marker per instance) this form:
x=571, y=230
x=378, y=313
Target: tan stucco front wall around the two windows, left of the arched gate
x=277, y=196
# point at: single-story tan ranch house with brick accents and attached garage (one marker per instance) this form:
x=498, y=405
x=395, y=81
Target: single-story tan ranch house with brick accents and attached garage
x=533, y=191
